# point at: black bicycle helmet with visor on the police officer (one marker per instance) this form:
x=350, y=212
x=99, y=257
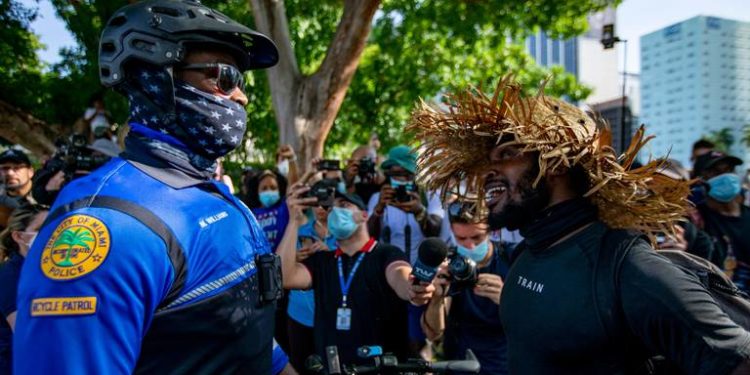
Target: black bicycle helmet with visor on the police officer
x=158, y=32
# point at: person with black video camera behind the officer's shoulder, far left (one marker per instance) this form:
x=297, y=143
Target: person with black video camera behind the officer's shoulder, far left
x=73, y=159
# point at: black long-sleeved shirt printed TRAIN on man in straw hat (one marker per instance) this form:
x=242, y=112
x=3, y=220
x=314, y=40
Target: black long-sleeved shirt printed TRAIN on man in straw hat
x=550, y=318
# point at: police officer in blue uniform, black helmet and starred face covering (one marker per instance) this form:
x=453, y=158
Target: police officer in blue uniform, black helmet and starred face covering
x=147, y=265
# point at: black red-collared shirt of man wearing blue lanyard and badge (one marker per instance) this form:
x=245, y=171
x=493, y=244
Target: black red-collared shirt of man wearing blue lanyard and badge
x=378, y=315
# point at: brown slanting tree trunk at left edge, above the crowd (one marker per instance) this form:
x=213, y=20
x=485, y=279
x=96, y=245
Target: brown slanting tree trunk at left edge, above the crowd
x=22, y=128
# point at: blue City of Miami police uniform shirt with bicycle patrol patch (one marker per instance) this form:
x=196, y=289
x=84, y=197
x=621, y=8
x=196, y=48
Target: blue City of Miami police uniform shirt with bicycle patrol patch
x=92, y=288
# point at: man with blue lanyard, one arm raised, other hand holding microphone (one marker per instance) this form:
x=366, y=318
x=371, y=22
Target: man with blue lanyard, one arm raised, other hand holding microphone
x=360, y=288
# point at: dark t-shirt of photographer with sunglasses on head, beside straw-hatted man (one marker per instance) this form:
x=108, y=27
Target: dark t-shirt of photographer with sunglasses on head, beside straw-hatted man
x=474, y=323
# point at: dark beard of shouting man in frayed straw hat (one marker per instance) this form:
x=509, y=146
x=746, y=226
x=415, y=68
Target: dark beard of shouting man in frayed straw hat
x=518, y=214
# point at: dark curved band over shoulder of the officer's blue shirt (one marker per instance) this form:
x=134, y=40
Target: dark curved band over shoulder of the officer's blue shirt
x=147, y=218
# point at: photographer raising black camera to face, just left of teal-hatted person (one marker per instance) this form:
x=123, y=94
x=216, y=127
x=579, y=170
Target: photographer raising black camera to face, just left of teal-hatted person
x=360, y=175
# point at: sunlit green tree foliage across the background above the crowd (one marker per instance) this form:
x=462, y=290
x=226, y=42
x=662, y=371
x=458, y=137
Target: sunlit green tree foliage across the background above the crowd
x=417, y=49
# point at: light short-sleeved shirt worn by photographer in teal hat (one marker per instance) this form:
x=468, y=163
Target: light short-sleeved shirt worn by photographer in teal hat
x=397, y=219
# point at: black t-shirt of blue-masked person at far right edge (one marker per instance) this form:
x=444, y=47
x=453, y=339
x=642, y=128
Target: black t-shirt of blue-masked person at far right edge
x=727, y=230
